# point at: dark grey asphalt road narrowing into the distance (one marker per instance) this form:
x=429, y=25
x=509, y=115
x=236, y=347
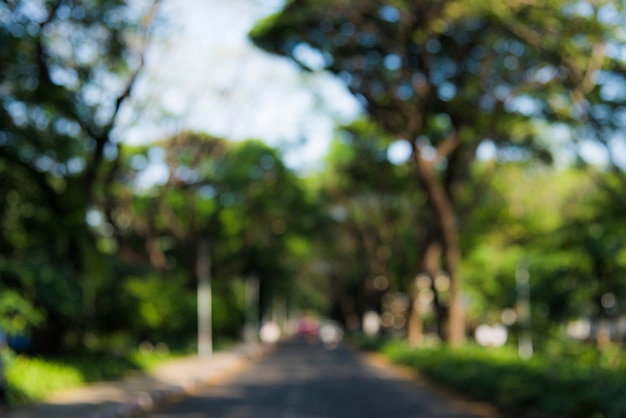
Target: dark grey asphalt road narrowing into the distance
x=300, y=380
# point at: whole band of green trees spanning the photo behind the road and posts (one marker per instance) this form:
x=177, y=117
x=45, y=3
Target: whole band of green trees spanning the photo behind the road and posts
x=92, y=255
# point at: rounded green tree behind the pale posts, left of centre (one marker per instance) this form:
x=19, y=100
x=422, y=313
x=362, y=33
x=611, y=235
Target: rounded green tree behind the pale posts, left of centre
x=237, y=195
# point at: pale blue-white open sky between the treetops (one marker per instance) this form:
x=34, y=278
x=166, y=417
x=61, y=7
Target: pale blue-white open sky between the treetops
x=204, y=74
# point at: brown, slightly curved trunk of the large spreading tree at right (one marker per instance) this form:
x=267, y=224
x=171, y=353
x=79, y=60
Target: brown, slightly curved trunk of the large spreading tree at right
x=446, y=219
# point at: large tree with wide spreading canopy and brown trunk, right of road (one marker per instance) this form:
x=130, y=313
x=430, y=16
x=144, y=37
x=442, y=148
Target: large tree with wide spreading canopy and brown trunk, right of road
x=446, y=76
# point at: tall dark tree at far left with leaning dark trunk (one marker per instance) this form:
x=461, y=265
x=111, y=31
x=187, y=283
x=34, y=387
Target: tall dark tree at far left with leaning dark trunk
x=66, y=70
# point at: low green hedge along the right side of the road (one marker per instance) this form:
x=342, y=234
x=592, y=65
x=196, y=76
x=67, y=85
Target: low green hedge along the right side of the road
x=563, y=384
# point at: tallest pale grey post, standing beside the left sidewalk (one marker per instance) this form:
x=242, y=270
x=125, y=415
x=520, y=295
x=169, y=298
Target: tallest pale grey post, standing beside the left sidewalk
x=205, y=329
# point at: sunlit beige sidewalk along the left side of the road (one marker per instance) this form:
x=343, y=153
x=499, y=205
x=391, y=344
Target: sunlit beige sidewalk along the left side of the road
x=140, y=392
